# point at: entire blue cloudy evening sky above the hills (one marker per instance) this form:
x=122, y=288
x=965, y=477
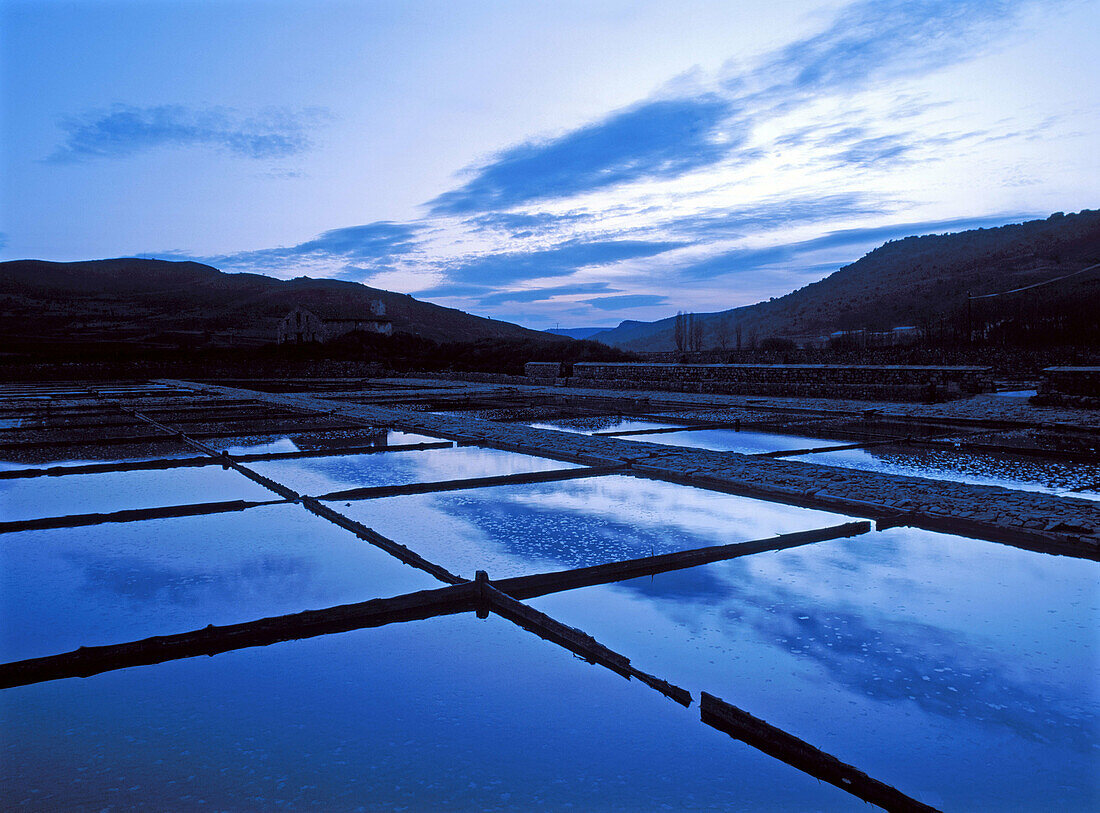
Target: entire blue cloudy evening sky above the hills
x=555, y=164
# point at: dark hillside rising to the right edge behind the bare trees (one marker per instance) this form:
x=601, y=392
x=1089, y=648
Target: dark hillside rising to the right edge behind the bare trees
x=926, y=282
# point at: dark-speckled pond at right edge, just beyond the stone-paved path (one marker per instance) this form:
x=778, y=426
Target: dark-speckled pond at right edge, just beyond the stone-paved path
x=1052, y=477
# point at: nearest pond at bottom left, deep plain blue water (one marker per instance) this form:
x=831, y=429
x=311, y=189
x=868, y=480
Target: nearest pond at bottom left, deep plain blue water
x=450, y=713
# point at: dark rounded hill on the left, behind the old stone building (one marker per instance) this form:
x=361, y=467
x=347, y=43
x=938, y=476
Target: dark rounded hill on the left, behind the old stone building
x=156, y=303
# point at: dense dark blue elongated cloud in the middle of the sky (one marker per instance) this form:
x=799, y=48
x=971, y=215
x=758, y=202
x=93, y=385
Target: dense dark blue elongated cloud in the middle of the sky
x=657, y=139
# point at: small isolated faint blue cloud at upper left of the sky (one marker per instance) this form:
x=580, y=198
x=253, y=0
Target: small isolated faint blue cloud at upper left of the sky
x=125, y=130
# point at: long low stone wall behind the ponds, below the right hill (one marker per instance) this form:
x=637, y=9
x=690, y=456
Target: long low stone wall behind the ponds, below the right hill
x=823, y=381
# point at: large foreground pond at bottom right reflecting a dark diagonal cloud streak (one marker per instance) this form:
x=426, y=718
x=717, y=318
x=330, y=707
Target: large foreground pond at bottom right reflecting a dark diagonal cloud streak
x=962, y=672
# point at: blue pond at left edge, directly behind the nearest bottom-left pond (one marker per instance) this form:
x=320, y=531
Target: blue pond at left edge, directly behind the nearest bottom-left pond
x=112, y=584
